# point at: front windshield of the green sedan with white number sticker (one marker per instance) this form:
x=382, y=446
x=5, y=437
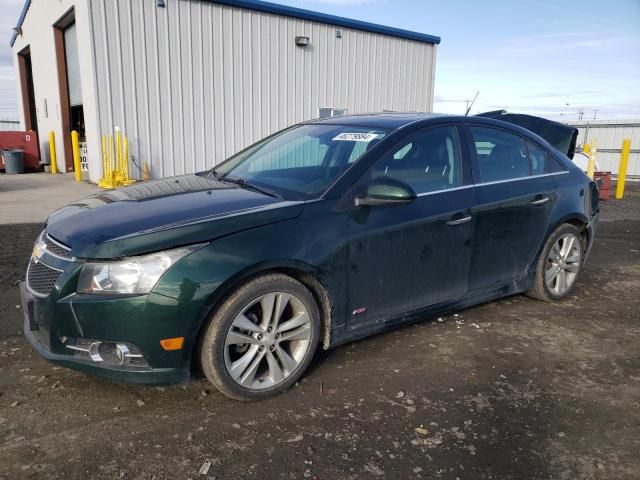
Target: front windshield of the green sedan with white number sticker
x=301, y=162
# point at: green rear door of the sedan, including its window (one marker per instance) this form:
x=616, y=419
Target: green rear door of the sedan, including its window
x=514, y=195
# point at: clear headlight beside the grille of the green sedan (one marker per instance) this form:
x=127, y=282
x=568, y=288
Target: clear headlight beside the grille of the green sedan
x=135, y=275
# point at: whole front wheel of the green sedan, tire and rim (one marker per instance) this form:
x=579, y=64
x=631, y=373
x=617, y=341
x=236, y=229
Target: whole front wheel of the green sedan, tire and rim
x=246, y=371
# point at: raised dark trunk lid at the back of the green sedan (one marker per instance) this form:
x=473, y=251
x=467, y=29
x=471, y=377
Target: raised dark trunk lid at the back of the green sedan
x=561, y=136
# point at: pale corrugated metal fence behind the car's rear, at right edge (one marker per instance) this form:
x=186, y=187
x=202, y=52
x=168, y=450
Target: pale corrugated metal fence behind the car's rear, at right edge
x=609, y=136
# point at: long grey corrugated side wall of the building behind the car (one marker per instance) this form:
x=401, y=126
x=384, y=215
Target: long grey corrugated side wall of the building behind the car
x=195, y=82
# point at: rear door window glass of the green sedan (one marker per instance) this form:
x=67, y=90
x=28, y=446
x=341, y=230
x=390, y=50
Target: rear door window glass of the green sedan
x=501, y=155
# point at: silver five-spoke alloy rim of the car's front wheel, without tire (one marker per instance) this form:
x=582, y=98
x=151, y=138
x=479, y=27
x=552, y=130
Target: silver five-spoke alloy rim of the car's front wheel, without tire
x=267, y=341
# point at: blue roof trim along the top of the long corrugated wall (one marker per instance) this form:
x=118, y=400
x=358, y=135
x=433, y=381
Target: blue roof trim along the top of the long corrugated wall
x=303, y=14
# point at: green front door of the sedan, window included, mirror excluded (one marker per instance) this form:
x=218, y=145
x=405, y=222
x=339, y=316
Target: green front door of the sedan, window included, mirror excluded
x=405, y=257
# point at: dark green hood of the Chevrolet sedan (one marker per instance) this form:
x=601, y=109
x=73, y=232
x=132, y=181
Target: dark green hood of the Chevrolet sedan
x=162, y=214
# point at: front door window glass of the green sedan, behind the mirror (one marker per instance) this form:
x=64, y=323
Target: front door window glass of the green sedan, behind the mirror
x=428, y=160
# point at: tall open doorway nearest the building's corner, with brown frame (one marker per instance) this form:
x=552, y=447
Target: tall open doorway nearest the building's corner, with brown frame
x=71, y=109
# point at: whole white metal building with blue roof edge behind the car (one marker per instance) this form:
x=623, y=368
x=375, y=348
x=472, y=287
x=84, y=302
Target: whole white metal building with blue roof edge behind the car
x=191, y=82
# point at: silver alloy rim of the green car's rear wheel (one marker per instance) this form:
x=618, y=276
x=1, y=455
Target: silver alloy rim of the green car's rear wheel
x=563, y=264
